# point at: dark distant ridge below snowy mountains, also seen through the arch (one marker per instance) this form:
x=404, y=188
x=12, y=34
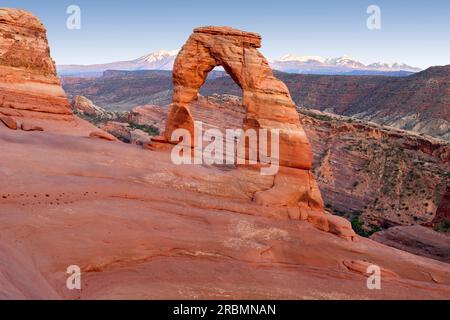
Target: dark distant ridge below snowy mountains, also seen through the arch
x=419, y=102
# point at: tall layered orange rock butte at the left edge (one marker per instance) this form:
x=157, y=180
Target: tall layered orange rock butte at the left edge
x=29, y=88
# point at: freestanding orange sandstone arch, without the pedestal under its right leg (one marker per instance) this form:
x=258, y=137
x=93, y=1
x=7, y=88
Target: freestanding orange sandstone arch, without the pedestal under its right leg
x=266, y=99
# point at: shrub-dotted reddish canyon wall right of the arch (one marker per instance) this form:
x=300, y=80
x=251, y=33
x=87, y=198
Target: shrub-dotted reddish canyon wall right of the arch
x=379, y=175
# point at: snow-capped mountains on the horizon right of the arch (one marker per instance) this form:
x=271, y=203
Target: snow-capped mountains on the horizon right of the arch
x=341, y=65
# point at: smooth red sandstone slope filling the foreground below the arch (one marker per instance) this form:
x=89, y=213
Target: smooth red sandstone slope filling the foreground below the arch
x=141, y=227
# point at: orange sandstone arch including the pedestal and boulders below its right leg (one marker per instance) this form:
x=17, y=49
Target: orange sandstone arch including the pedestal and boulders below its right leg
x=267, y=104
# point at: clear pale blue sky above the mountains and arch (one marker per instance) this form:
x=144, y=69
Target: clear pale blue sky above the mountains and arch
x=413, y=32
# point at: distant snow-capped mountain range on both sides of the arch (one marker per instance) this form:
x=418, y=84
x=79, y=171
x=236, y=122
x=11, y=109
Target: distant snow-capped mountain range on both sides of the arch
x=163, y=60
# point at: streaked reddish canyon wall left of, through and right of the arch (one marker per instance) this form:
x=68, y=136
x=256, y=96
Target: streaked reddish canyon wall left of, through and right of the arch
x=375, y=176
